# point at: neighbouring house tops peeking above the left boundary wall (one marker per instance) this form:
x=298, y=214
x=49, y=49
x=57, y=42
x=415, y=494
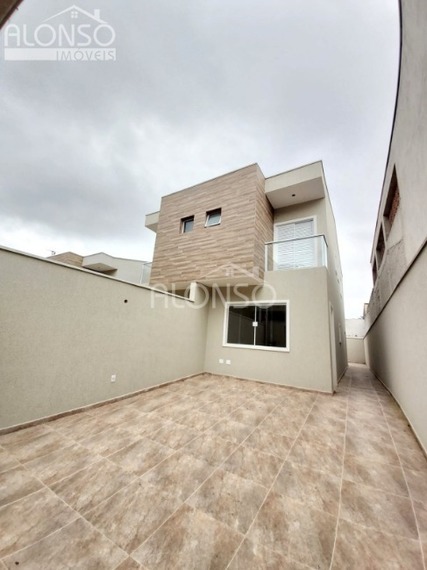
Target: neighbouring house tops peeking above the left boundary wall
x=132, y=270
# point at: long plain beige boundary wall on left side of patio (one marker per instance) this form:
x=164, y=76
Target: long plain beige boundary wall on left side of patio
x=65, y=331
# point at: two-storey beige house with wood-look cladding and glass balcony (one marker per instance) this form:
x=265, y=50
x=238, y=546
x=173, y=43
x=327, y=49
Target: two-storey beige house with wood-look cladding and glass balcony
x=264, y=252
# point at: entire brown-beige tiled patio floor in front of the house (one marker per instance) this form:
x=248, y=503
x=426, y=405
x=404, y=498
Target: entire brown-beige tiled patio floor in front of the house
x=214, y=472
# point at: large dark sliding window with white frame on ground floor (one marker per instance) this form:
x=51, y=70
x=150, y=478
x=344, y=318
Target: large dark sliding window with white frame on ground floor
x=261, y=325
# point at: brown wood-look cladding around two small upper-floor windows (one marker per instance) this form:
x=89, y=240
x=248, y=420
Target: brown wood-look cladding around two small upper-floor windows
x=246, y=223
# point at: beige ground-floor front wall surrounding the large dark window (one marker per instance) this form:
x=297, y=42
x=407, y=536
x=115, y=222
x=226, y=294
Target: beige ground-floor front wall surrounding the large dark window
x=307, y=364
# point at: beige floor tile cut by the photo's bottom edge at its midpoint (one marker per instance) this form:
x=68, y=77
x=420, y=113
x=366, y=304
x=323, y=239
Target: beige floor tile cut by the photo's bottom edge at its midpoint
x=189, y=540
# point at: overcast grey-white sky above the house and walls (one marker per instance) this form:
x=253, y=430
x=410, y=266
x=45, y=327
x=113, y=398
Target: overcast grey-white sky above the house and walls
x=199, y=88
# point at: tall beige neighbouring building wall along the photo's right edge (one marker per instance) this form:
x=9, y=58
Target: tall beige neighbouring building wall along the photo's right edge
x=396, y=317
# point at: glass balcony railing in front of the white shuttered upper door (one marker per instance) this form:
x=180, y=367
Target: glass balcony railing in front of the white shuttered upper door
x=296, y=253
